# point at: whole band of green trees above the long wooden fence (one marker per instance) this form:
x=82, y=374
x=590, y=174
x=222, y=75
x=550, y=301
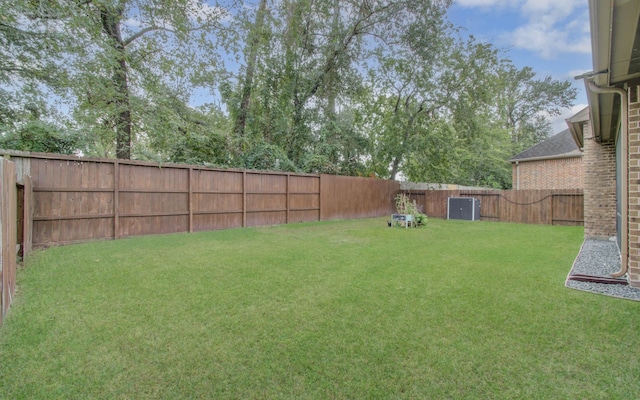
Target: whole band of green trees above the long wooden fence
x=377, y=87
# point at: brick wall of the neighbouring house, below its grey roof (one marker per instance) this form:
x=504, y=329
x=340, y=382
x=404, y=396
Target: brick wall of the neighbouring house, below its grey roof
x=560, y=173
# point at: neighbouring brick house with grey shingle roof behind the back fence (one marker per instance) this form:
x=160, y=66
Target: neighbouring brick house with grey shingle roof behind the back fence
x=555, y=163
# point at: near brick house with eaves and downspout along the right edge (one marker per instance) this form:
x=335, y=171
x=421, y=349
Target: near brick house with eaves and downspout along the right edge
x=610, y=136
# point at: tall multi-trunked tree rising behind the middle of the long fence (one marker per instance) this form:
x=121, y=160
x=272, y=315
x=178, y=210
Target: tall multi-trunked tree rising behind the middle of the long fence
x=308, y=72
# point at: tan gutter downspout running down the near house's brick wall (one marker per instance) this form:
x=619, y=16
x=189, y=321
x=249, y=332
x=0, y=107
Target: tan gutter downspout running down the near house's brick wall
x=624, y=203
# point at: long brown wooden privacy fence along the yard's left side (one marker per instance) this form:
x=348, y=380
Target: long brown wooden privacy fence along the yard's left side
x=77, y=200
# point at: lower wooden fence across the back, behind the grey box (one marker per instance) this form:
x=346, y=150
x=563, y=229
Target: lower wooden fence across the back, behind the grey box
x=552, y=207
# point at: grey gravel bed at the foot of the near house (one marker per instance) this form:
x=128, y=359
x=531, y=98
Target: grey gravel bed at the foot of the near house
x=600, y=258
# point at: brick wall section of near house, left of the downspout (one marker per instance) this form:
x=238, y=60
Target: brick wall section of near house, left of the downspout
x=599, y=165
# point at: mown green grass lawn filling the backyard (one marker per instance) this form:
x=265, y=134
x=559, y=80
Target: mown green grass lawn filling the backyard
x=348, y=309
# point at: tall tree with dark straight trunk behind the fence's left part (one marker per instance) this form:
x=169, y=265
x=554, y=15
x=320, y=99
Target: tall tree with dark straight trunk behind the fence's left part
x=129, y=48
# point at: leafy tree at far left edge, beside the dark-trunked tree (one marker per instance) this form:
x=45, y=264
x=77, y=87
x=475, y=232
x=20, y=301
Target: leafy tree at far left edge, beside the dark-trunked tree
x=29, y=75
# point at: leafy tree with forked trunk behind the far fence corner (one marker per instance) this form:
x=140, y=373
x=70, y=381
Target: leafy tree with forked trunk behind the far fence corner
x=419, y=84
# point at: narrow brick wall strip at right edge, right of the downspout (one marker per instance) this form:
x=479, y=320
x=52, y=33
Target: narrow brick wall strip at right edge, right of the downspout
x=634, y=187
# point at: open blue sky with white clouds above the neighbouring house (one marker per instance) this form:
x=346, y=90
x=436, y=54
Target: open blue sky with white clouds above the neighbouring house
x=550, y=36
